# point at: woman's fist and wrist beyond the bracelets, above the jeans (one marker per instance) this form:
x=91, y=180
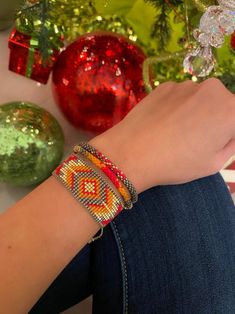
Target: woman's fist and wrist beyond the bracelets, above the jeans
x=179, y=133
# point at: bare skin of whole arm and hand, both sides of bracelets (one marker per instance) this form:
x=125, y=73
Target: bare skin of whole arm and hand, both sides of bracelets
x=178, y=133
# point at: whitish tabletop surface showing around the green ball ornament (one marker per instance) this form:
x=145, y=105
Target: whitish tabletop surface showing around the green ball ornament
x=14, y=87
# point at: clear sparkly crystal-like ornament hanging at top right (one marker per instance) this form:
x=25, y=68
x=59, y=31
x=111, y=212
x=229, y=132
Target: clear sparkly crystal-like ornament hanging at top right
x=217, y=22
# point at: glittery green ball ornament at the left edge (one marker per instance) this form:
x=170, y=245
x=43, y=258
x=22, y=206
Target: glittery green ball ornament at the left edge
x=31, y=144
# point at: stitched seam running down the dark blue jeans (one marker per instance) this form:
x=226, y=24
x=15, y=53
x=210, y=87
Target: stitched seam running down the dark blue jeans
x=123, y=267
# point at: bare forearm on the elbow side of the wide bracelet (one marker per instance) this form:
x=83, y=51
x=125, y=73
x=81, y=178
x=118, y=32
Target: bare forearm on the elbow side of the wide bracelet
x=38, y=238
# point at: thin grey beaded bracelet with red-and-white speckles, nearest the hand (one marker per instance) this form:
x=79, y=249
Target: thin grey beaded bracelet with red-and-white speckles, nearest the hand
x=112, y=166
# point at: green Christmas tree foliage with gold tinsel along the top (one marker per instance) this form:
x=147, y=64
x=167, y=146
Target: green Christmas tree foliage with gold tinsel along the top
x=163, y=29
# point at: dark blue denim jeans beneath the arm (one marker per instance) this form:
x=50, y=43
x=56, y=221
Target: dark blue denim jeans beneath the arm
x=173, y=253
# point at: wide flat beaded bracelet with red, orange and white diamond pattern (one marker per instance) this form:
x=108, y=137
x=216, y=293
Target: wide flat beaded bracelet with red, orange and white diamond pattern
x=89, y=188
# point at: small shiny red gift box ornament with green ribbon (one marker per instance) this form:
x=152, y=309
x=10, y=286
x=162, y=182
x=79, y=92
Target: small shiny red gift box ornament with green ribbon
x=26, y=60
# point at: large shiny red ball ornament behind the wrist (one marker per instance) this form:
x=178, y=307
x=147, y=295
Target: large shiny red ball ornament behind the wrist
x=97, y=80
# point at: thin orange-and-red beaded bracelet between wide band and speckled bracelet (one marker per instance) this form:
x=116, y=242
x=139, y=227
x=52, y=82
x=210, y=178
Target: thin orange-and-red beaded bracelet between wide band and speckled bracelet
x=105, y=169
